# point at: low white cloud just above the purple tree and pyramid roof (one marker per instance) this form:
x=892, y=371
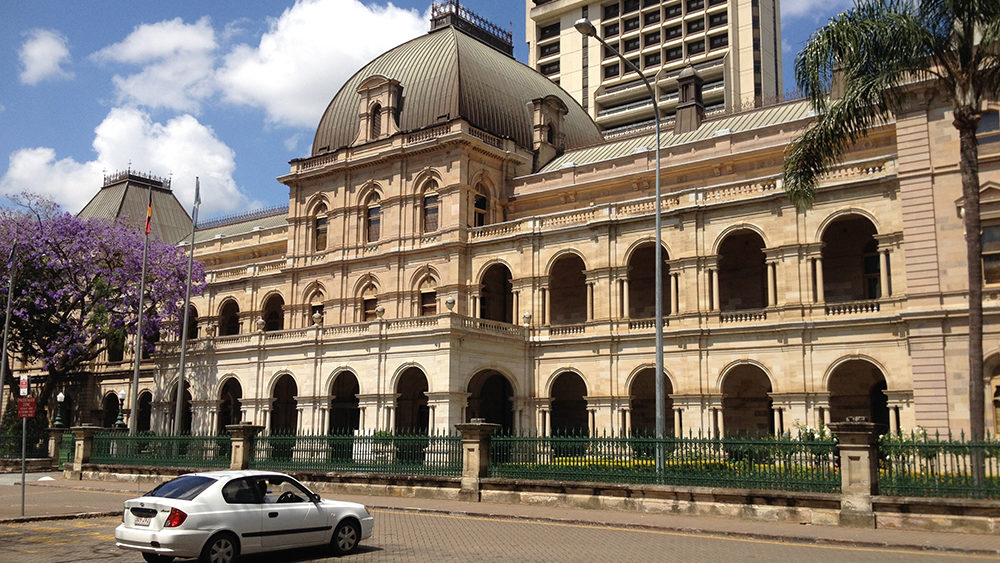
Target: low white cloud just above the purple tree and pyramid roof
x=181, y=147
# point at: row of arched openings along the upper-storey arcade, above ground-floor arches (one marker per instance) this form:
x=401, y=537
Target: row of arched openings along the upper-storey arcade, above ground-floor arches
x=850, y=269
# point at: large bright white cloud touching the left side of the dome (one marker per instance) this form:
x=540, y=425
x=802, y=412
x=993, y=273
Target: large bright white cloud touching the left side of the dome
x=309, y=52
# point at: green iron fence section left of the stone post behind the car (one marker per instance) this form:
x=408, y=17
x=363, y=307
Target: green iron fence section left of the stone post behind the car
x=164, y=451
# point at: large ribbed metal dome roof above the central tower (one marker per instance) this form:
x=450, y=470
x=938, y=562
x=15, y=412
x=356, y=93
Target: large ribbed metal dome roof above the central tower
x=447, y=74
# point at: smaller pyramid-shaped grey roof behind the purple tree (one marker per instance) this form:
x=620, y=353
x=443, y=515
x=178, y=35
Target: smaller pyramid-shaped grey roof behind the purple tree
x=126, y=195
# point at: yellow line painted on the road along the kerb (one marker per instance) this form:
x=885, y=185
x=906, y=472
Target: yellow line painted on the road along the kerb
x=695, y=536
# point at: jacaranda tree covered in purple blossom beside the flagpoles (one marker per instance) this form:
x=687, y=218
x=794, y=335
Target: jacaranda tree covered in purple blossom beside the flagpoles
x=77, y=287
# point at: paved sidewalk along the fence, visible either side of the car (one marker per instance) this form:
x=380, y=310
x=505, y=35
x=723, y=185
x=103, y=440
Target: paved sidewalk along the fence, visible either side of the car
x=105, y=497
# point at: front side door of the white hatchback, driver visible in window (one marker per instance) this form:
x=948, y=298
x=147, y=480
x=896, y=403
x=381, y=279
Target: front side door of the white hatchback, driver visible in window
x=290, y=517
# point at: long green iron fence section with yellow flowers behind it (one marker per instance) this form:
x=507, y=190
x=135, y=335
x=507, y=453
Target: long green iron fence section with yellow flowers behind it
x=804, y=463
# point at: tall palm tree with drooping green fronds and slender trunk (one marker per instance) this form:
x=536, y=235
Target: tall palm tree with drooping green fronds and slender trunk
x=870, y=53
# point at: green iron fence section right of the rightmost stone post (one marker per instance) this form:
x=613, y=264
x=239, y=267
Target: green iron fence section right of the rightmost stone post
x=921, y=465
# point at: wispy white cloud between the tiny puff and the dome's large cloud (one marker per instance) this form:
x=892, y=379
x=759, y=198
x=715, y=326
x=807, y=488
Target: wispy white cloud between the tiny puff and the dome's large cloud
x=177, y=60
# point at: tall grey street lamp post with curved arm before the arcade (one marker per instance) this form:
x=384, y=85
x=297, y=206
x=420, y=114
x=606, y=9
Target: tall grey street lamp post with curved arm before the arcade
x=584, y=26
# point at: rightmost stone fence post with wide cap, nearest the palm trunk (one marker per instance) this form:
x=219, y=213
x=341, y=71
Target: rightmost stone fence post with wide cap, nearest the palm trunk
x=857, y=442
